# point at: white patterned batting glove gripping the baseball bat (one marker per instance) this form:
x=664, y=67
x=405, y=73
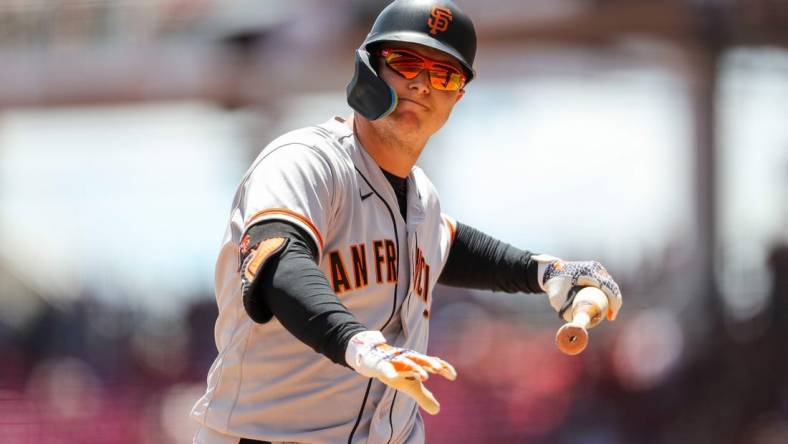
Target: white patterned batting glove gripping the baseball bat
x=557, y=277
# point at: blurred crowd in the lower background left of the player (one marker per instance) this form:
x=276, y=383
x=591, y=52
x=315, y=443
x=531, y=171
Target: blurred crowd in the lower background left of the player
x=86, y=372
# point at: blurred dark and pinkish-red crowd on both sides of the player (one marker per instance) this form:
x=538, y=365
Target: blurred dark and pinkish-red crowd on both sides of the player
x=84, y=372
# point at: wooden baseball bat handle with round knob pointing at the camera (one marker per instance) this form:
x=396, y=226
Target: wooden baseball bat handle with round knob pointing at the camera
x=588, y=309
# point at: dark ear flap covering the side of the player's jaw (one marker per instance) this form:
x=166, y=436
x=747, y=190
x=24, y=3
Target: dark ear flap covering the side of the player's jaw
x=367, y=93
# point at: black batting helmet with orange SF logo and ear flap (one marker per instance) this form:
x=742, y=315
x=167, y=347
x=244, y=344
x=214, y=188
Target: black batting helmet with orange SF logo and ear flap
x=438, y=24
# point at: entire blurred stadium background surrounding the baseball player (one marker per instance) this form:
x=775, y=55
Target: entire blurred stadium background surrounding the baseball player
x=650, y=135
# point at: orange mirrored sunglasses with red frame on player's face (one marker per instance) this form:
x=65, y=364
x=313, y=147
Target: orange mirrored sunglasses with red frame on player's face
x=408, y=64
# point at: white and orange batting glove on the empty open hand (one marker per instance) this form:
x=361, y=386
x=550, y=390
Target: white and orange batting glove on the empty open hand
x=400, y=368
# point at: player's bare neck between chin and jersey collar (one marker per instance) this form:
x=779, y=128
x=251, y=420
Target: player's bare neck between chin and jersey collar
x=391, y=153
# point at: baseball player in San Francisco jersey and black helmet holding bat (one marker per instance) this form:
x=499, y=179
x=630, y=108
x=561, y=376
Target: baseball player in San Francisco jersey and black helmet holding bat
x=335, y=243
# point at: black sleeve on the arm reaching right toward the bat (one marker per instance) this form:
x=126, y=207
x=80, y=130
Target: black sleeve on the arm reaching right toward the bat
x=477, y=260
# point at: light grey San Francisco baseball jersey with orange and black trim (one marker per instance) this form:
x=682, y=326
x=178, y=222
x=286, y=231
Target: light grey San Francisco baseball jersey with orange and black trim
x=265, y=384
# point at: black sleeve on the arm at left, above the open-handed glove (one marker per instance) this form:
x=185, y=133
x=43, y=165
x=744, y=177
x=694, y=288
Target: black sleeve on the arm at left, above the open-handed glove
x=293, y=289
